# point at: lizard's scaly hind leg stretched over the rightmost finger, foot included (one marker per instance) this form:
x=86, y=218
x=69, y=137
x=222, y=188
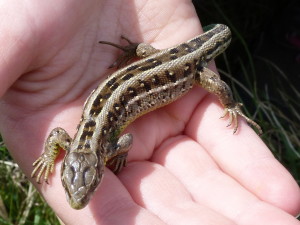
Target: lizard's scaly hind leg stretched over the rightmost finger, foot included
x=213, y=83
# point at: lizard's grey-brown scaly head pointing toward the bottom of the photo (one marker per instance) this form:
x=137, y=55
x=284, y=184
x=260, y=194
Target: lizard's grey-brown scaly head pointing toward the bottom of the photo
x=81, y=174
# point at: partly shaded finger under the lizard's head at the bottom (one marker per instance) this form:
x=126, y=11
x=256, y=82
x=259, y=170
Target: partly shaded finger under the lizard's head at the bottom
x=110, y=204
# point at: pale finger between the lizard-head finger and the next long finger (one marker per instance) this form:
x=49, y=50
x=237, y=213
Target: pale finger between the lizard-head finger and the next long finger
x=155, y=189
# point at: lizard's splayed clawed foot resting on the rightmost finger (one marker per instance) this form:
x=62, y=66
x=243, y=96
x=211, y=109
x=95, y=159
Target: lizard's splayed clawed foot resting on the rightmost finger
x=233, y=113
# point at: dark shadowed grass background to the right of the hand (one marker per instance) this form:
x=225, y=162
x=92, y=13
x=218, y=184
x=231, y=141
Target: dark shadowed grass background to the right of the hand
x=258, y=79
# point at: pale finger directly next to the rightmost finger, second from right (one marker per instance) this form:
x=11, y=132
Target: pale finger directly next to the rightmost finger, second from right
x=212, y=188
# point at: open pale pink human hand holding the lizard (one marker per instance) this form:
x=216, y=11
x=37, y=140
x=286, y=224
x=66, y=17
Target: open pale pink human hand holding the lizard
x=185, y=166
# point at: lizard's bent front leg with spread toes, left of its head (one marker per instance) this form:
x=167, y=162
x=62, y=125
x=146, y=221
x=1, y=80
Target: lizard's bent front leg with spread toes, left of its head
x=58, y=139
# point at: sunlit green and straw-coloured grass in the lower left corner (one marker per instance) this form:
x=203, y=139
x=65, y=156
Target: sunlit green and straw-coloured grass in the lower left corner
x=20, y=203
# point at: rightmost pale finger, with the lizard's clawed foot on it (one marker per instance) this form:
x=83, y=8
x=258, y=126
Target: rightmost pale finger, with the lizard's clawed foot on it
x=244, y=157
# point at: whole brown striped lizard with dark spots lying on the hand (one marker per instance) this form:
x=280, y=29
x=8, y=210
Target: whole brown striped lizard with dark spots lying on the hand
x=157, y=79
